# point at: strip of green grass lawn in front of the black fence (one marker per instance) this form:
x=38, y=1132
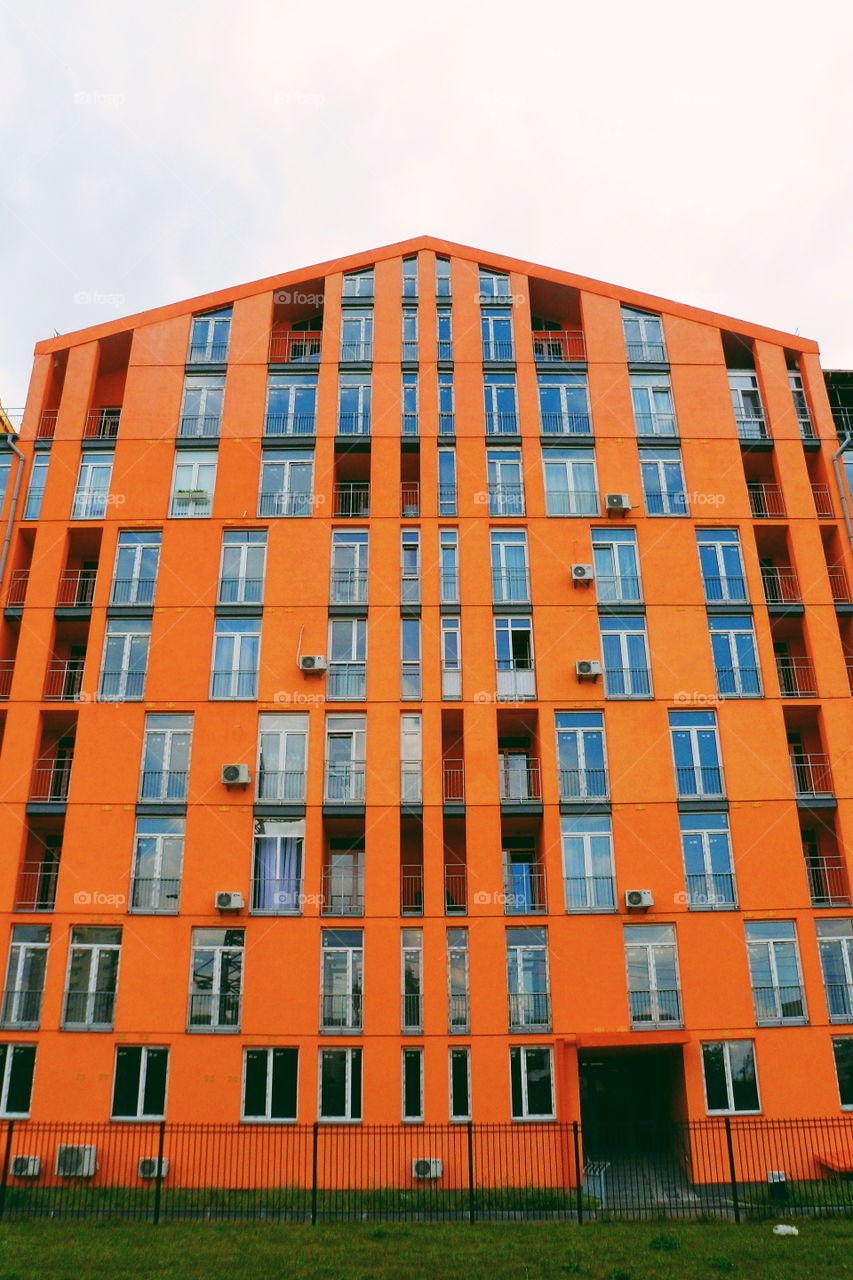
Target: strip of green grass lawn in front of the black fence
x=518, y=1251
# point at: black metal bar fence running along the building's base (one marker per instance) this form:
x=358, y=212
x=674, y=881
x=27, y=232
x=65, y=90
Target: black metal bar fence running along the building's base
x=718, y=1168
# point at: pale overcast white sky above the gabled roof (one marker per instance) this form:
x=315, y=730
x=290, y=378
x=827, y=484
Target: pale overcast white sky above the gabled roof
x=159, y=150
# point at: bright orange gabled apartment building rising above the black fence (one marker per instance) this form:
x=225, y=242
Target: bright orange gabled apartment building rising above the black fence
x=426, y=697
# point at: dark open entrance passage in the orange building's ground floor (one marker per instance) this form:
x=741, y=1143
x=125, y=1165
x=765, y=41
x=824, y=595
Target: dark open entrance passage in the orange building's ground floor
x=631, y=1099
